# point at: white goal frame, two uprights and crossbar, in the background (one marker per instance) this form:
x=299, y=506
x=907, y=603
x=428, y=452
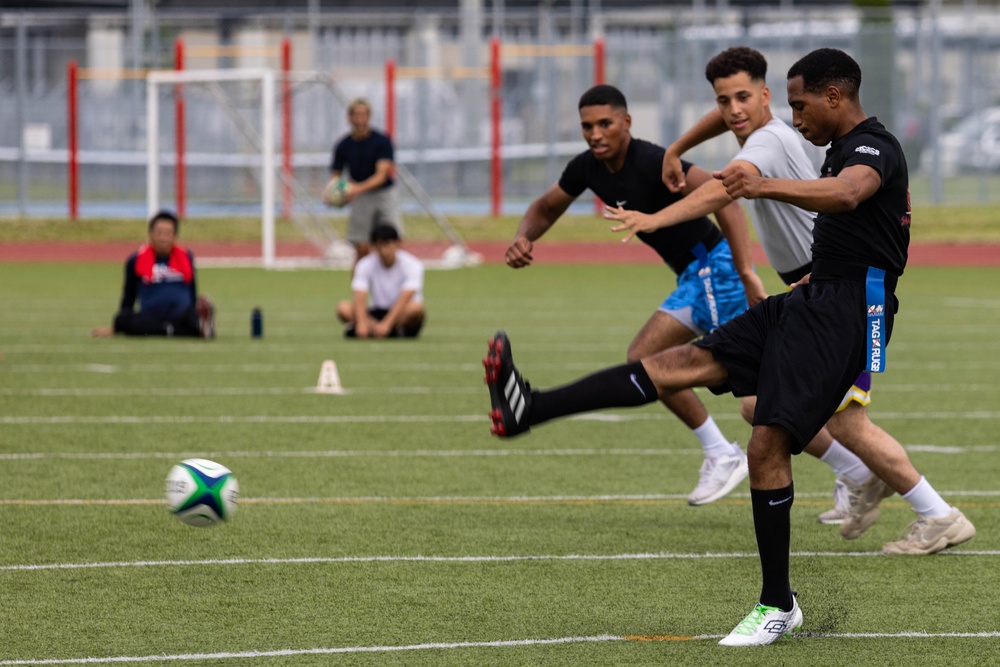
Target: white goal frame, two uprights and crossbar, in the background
x=265, y=78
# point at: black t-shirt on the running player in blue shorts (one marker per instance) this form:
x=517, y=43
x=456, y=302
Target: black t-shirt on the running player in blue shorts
x=638, y=186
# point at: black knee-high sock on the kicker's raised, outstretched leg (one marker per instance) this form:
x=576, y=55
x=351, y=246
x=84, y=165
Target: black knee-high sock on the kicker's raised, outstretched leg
x=623, y=386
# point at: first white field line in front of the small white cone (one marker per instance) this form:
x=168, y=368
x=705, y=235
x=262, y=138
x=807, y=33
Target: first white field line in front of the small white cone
x=412, y=419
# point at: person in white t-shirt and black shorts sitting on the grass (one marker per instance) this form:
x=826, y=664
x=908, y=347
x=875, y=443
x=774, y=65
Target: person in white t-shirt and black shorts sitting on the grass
x=393, y=280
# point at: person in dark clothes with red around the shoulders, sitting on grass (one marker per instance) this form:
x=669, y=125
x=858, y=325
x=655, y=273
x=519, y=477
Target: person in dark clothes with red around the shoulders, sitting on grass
x=160, y=275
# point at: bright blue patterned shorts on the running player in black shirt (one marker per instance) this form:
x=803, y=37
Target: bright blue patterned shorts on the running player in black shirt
x=709, y=291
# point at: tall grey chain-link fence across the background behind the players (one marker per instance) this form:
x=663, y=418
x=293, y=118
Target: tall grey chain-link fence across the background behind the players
x=931, y=74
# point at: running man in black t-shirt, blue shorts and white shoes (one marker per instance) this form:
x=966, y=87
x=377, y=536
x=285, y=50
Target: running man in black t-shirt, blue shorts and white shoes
x=711, y=271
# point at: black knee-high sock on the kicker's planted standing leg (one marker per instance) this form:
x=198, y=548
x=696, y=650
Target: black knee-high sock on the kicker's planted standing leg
x=772, y=524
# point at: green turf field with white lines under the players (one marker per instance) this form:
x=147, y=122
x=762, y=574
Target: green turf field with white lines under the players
x=387, y=527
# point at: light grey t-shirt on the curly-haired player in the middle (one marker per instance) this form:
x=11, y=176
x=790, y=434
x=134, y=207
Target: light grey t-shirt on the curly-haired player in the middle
x=784, y=230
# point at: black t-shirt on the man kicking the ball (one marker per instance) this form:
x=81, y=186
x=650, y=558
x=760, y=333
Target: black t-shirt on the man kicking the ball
x=877, y=232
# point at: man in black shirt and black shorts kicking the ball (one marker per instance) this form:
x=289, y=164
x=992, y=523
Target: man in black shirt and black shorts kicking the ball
x=798, y=351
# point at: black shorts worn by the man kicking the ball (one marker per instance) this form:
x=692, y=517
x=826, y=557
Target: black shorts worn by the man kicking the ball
x=798, y=352
